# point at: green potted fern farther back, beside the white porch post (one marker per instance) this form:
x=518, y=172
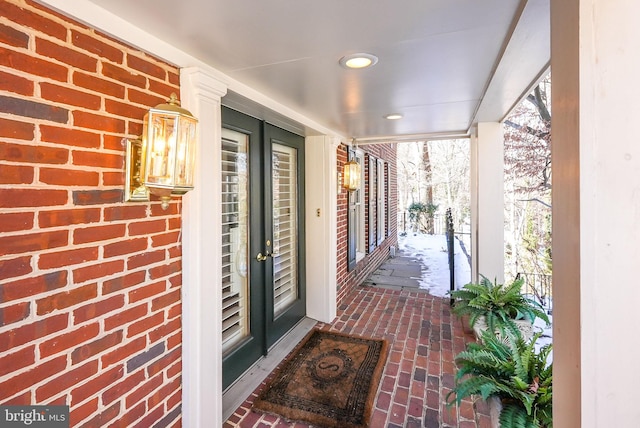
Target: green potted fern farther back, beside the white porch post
x=499, y=304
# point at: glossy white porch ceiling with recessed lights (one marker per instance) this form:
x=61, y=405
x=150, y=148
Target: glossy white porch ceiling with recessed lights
x=443, y=64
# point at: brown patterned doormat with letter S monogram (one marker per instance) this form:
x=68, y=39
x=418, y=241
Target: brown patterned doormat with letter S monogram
x=330, y=380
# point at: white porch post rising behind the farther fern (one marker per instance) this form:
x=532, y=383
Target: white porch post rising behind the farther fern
x=487, y=200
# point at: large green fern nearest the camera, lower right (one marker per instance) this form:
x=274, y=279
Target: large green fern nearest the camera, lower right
x=514, y=372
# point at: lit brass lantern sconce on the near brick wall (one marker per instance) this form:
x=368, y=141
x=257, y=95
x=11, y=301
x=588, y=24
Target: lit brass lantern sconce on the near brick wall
x=161, y=162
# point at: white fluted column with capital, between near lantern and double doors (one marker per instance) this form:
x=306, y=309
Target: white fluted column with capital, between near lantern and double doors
x=202, y=259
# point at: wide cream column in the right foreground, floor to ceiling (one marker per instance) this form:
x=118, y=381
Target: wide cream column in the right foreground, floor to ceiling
x=596, y=211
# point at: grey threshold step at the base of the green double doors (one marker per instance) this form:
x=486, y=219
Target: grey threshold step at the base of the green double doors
x=237, y=393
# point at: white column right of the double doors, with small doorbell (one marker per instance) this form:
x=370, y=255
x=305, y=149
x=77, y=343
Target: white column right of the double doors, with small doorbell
x=321, y=226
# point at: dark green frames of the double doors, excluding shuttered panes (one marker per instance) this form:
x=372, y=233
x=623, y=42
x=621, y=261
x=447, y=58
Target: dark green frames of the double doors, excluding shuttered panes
x=265, y=328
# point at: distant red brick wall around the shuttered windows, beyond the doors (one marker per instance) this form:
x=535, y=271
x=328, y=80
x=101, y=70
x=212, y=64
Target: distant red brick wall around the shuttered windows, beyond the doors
x=347, y=280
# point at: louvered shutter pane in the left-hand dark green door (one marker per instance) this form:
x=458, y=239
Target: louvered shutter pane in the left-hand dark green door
x=235, y=262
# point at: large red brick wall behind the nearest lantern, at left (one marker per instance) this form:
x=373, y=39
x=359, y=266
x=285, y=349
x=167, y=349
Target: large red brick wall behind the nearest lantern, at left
x=89, y=286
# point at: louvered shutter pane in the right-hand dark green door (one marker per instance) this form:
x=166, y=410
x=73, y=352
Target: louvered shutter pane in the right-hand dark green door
x=285, y=227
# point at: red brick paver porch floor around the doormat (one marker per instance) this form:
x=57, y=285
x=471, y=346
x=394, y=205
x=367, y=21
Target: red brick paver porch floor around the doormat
x=424, y=339
